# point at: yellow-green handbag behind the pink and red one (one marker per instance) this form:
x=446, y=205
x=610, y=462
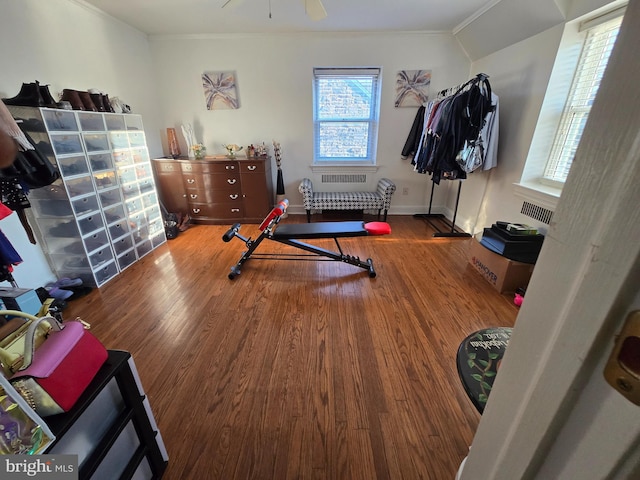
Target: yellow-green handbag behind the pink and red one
x=12, y=336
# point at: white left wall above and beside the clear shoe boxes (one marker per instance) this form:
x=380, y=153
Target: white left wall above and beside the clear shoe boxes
x=66, y=45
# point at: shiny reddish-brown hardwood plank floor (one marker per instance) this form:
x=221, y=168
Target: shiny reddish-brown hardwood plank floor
x=303, y=369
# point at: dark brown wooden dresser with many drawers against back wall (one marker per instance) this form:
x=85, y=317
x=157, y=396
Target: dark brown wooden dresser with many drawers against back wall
x=216, y=190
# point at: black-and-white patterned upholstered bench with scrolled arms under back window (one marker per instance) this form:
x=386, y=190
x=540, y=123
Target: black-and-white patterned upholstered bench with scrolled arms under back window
x=378, y=200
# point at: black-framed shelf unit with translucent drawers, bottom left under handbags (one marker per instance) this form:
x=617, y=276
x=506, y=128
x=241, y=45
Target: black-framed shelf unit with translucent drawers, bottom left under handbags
x=114, y=411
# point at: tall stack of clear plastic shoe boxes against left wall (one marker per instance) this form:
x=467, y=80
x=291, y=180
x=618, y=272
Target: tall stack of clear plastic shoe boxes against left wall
x=103, y=214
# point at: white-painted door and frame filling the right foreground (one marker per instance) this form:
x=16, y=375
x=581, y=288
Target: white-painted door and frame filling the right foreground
x=551, y=415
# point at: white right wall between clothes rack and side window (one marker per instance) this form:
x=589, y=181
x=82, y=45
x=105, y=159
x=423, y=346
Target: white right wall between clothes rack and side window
x=519, y=76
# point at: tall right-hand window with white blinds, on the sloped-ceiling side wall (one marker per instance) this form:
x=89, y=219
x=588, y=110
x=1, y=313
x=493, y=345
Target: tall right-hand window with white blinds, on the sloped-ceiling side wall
x=593, y=60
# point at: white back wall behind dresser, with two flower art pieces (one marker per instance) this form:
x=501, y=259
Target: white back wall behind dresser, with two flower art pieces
x=274, y=75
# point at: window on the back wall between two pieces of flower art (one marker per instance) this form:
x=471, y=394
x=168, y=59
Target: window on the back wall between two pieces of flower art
x=345, y=115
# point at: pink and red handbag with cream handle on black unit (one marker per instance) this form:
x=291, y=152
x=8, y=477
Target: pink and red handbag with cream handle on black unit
x=53, y=377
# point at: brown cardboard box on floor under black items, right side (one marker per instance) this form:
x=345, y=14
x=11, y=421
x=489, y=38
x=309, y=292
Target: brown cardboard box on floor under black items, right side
x=505, y=275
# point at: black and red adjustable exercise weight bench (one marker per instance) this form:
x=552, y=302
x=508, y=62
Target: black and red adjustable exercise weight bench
x=293, y=234
